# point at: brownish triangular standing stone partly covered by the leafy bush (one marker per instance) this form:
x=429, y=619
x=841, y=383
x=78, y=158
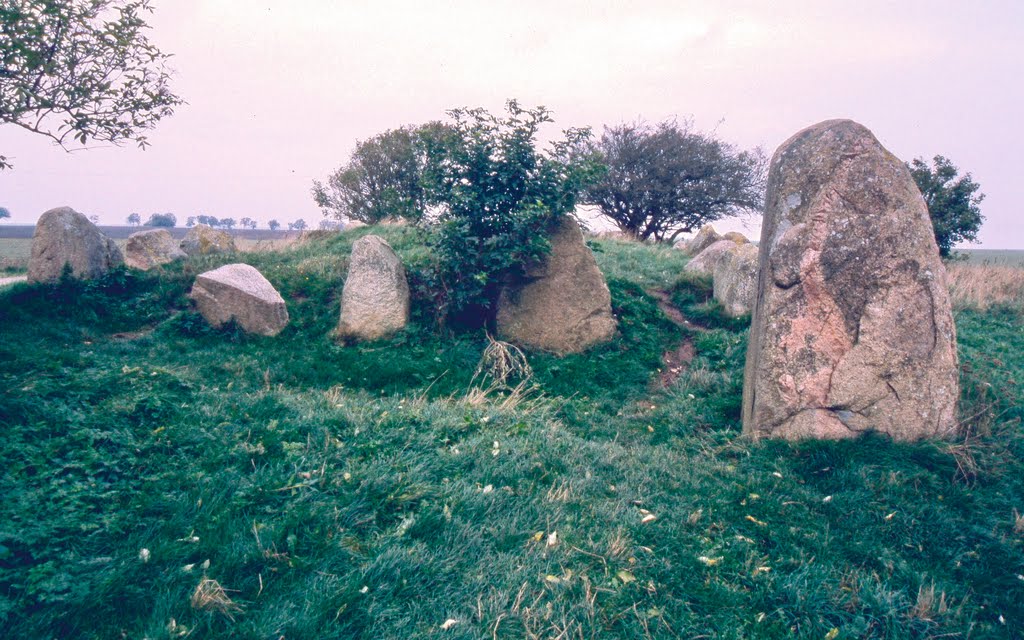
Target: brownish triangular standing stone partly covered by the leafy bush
x=564, y=305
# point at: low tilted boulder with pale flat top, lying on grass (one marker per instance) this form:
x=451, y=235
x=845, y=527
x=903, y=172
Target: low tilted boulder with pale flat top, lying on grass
x=240, y=292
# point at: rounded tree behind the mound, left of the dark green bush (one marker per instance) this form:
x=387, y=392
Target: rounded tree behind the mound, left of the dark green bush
x=383, y=178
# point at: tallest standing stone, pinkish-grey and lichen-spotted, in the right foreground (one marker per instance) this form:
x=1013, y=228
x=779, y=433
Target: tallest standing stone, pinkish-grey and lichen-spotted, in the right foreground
x=852, y=328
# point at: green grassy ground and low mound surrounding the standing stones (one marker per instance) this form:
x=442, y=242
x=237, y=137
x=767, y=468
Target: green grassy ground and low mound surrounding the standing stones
x=163, y=480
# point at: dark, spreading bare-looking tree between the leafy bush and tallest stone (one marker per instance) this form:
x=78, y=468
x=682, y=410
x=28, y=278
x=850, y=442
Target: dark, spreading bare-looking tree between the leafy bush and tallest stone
x=667, y=180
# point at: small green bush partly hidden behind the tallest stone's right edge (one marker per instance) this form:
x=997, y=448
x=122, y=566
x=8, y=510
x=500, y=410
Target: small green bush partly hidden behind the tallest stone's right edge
x=953, y=202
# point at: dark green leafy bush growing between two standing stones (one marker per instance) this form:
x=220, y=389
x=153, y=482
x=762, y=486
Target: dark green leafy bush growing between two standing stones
x=493, y=198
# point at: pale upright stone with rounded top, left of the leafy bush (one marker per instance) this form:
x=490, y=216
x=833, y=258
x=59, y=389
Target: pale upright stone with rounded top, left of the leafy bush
x=375, y=301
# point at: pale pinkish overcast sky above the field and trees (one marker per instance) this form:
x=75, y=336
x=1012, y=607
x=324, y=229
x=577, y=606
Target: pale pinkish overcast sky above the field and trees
x=279, y=92
